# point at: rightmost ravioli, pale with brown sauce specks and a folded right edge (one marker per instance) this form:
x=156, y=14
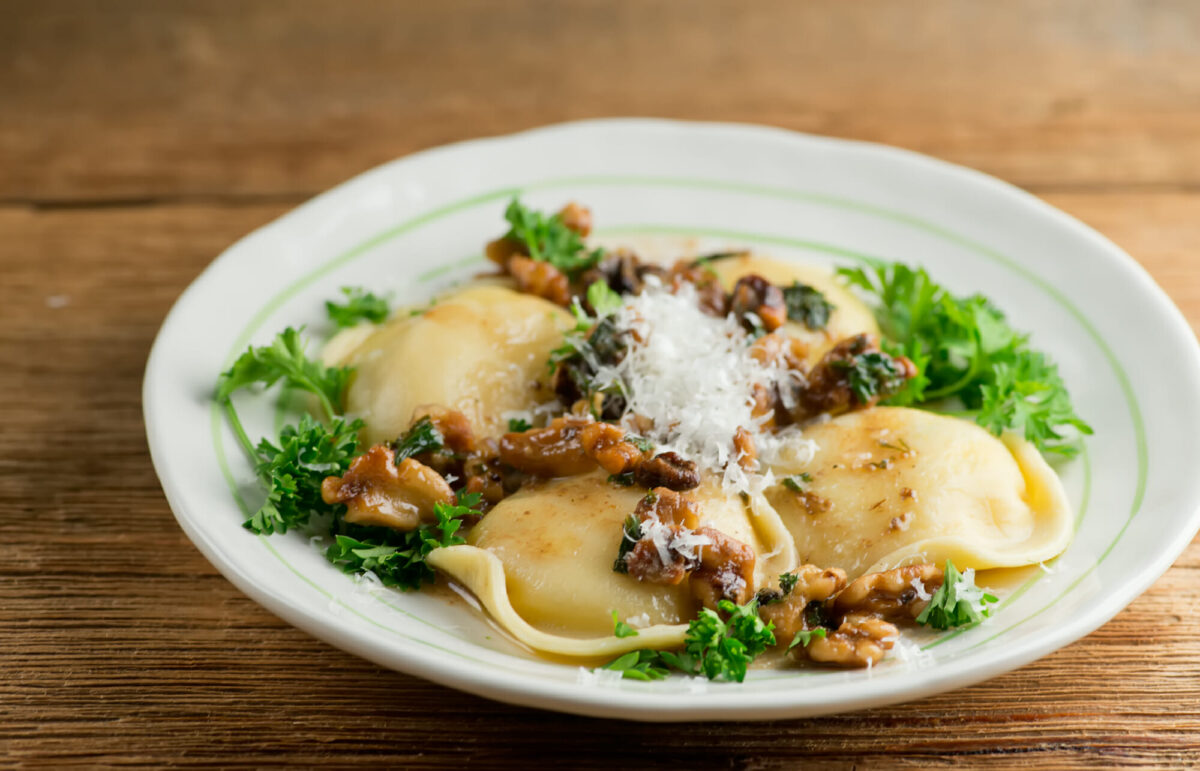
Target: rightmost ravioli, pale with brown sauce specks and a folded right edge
x=893, y=487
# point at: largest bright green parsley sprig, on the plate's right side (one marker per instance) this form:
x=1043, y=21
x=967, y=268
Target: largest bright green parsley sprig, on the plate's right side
x=965, y=349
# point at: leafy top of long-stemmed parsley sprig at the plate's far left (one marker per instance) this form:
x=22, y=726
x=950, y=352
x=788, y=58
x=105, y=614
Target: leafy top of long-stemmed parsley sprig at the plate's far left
x=285, y=360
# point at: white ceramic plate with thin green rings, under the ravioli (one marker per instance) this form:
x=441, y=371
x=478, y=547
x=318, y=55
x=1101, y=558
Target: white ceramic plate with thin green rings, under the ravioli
x=417, y=224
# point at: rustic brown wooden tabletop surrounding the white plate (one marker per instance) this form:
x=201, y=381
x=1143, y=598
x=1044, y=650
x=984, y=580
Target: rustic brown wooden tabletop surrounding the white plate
x=139, y=140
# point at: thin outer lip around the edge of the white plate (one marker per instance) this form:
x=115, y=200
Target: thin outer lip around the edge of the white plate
x=584, y=701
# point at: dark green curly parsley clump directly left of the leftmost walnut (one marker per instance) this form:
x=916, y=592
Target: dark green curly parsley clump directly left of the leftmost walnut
x=295, y=469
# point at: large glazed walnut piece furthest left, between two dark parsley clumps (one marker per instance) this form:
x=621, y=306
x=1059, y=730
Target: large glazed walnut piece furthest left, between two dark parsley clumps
x=376, y=492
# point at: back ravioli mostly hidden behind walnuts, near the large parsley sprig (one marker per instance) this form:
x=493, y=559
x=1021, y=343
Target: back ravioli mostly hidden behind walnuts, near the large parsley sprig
x=850, y=316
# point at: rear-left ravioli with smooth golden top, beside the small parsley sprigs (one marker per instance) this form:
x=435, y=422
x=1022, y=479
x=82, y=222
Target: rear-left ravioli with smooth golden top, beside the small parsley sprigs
x=482, y=351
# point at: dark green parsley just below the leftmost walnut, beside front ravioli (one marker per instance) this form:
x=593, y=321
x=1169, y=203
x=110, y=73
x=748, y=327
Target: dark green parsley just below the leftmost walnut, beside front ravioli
x=399, y=558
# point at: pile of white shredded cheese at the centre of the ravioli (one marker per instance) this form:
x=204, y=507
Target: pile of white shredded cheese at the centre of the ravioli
x=693, y=376
